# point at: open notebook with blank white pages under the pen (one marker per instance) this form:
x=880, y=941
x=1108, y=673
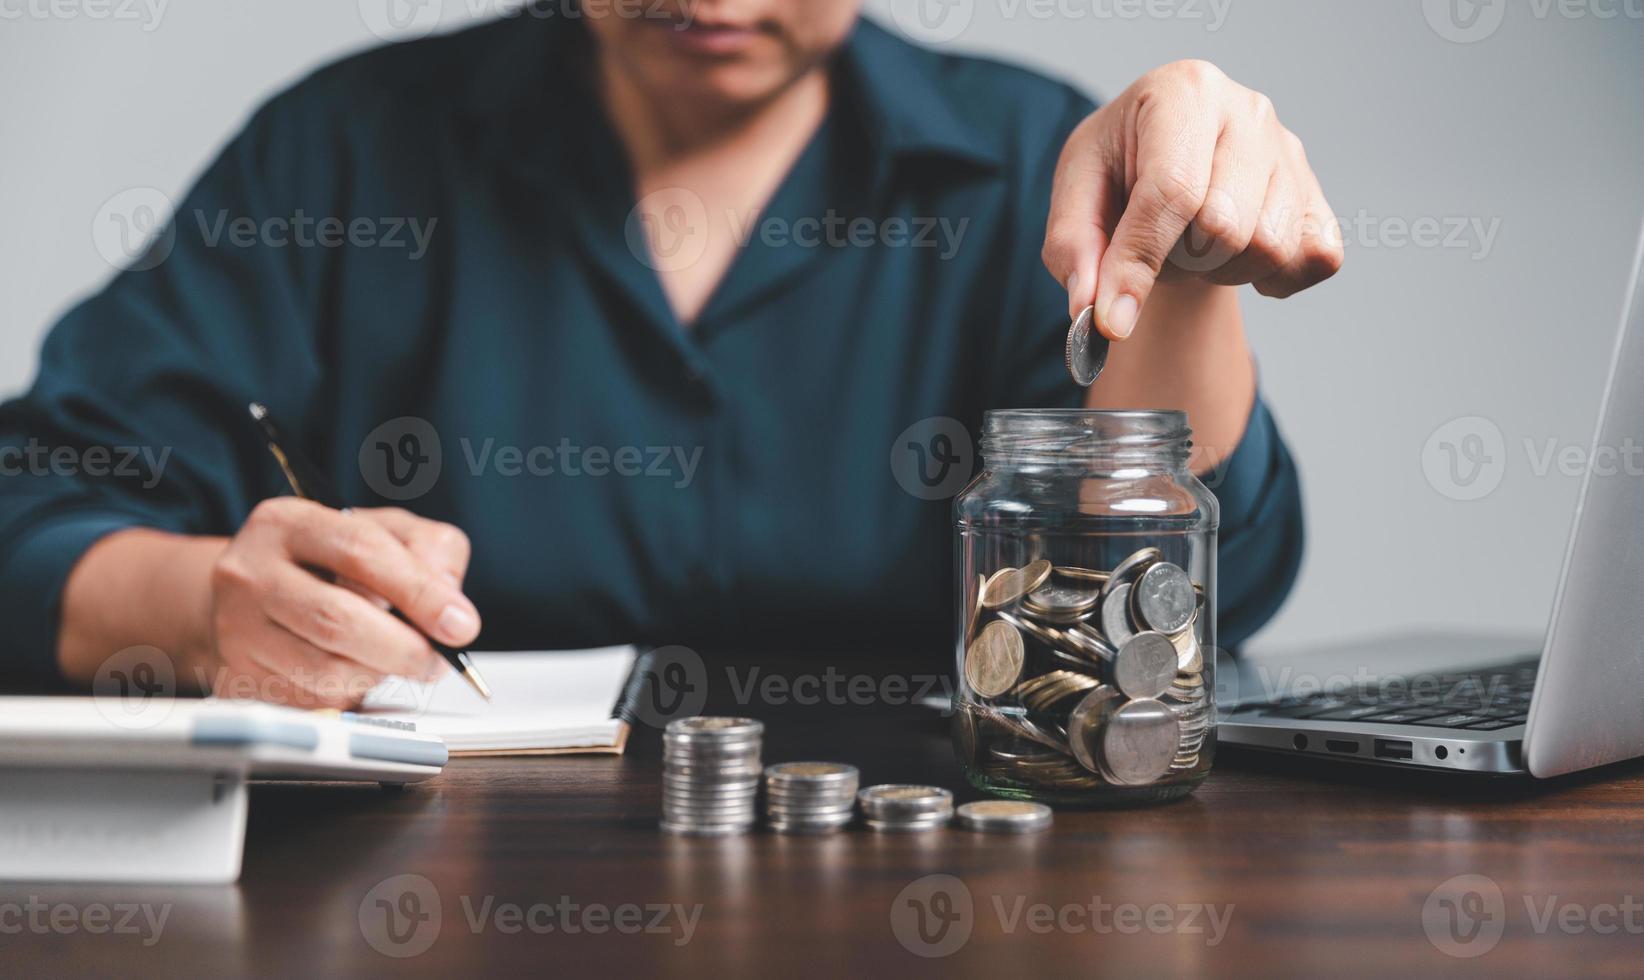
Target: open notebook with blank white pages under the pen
x=547, y=703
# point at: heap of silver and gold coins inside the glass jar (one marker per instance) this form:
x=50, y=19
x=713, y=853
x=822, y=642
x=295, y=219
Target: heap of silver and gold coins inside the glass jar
x=1084, y=678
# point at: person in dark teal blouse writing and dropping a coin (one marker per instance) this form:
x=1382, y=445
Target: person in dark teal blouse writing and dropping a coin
x=678, y=282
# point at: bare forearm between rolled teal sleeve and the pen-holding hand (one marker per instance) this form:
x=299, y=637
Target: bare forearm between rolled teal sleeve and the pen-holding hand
x=141, y=588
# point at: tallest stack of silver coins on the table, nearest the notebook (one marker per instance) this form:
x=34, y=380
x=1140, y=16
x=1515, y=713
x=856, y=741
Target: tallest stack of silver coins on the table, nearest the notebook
x=711, y=775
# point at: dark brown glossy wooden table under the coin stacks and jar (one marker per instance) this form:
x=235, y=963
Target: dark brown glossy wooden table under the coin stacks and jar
x=1267, y=871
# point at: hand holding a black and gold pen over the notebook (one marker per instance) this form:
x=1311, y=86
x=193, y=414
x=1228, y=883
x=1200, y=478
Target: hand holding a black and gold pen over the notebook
x=300, y=603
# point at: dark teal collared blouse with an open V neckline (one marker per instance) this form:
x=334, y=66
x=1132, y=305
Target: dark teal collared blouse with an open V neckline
x=441, y=292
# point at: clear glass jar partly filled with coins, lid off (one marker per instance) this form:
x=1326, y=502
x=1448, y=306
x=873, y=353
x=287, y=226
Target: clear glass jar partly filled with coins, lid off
x=1088, y=594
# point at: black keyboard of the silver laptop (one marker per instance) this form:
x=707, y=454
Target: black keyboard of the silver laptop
x=1484, y=701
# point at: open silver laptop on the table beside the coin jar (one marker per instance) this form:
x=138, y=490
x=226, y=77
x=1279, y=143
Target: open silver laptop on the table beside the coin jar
x=1484, y=705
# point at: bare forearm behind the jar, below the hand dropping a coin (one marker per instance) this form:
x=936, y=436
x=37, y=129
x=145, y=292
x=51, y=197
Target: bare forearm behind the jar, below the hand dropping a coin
x=1189, y=353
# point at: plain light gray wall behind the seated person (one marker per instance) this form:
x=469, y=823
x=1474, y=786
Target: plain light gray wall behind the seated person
x=1518, y=121
